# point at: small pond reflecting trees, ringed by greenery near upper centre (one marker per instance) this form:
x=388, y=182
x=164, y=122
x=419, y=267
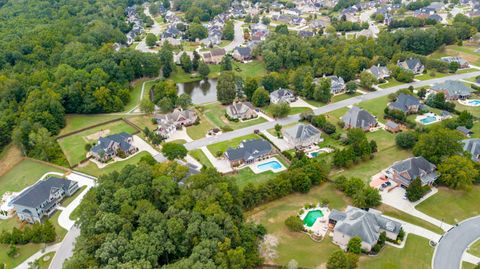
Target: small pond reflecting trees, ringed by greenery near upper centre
x=203, y=91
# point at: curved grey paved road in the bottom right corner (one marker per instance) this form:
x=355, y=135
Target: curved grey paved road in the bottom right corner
x=448, y=253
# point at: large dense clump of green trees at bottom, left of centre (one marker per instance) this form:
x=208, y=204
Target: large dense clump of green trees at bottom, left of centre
x=142, y=217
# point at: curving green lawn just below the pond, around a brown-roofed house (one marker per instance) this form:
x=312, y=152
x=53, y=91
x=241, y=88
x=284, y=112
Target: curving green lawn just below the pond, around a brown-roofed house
x=216, y=114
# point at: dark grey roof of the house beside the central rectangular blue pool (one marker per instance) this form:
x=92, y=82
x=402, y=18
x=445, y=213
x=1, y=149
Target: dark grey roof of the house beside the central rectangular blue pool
x=249, y=150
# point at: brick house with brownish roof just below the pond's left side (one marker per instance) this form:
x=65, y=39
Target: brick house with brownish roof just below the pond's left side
x=169, y=123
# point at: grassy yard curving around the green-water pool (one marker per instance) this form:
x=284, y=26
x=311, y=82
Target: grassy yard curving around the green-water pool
x=296, y=245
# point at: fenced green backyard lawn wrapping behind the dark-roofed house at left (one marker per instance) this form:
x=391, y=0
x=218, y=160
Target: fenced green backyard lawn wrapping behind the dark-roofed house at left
x=74, y=146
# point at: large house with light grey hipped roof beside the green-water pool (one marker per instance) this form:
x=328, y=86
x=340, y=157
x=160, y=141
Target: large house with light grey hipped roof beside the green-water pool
x=368, y=225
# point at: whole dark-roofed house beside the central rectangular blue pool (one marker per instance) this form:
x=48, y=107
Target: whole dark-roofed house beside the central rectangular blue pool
x=248, y=152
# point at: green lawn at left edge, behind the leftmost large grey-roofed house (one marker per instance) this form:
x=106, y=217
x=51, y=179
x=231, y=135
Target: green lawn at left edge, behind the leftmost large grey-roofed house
x=23, y=175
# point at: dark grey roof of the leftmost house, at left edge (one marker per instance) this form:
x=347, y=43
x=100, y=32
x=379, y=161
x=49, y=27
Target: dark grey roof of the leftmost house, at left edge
x=40, y=192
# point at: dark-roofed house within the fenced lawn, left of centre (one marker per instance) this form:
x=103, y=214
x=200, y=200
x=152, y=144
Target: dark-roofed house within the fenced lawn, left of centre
x=110, y=146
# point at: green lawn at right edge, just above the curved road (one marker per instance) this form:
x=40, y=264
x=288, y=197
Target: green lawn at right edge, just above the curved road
x=452, y=206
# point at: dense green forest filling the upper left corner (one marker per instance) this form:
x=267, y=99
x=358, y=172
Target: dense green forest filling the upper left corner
x=57, y=58
